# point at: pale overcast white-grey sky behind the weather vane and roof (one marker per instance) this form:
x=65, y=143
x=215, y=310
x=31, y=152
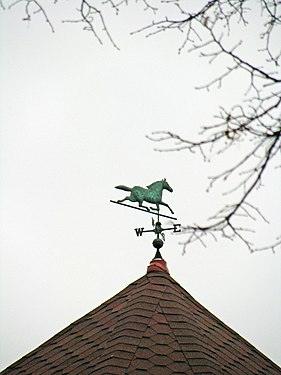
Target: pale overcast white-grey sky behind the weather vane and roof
x=74, y=119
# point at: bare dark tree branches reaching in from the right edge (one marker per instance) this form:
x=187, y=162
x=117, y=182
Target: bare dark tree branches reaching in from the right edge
x=256, y=120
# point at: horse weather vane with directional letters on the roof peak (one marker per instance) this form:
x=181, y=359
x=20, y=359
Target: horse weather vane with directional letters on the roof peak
x=151, y=194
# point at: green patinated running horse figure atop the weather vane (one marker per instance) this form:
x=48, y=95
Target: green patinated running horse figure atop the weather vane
x=151, y=194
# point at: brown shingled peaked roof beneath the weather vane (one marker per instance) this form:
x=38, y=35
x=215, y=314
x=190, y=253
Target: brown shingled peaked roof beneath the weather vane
x=153, y=326
